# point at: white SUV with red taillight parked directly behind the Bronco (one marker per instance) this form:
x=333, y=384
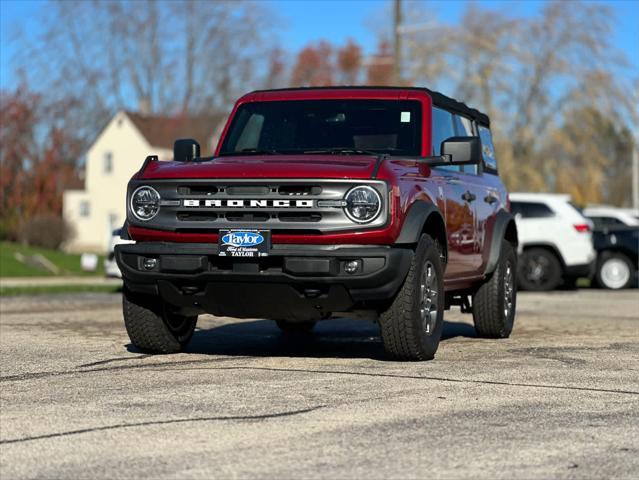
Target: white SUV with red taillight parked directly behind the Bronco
x=555, y=238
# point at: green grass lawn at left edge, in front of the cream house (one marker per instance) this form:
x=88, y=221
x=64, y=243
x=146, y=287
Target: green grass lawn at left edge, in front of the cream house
x=69, y=264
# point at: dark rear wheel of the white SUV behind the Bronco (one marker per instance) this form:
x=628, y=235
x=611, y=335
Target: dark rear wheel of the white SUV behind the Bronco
x=539, y=270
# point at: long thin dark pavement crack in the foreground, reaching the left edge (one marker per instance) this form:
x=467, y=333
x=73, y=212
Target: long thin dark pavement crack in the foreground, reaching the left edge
x=266, y=416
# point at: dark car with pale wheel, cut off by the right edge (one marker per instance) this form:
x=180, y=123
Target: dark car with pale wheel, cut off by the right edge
x=617, y=256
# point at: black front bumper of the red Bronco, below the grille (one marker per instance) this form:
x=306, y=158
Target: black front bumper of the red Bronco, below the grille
x=295, y=282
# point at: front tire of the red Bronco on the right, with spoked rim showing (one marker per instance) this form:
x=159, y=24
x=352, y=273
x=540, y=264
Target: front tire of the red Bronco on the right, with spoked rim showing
x=412, y=326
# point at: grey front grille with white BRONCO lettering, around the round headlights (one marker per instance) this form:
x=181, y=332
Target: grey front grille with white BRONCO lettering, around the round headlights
x=301, y=206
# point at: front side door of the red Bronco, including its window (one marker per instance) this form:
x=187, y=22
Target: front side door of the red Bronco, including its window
x=459, y=211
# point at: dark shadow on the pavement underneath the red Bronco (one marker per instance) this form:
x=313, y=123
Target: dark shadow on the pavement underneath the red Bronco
x=341, y=338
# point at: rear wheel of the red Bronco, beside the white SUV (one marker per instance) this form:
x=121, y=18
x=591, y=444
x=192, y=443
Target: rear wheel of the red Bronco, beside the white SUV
x=495, y=302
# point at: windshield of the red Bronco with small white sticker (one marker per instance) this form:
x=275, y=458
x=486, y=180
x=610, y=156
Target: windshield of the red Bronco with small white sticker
x=326, y=126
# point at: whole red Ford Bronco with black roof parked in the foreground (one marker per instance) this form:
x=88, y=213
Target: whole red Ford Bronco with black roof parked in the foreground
x=383, y=203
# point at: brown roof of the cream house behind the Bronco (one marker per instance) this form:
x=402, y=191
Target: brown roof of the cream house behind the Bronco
x=162, y=131
